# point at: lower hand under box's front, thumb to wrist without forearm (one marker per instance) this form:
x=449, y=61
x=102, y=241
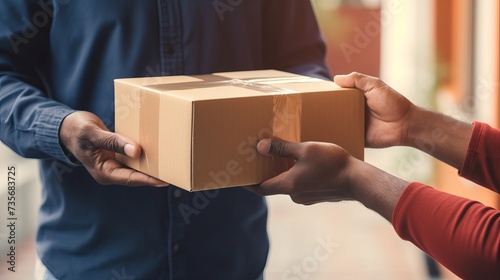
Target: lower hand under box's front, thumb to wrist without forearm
x=320, y=173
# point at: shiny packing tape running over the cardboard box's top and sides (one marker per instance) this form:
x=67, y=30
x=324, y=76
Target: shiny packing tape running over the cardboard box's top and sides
x=287, y=109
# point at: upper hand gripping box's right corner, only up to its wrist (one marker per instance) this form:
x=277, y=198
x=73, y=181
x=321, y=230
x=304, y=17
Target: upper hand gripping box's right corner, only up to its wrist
x=388, y=112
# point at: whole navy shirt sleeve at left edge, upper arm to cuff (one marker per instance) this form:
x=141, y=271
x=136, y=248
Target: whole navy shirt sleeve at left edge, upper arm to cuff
x=29, y=119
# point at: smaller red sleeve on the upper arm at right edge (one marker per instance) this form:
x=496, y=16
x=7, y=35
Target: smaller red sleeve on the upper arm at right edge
x=482, y=162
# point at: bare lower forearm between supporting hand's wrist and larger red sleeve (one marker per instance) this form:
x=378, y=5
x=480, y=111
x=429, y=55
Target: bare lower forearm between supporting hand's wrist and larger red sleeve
x=374, y=188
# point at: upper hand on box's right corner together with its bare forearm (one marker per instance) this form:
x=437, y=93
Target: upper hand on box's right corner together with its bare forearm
x=392, y=120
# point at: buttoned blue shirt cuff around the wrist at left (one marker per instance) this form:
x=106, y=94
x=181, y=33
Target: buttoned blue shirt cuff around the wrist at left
x=47, y=134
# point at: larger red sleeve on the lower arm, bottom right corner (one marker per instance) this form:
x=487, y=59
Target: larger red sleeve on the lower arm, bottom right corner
x=461, y=234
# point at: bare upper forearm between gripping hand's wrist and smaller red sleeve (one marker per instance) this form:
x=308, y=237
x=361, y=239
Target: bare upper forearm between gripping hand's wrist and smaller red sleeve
x=440, y=136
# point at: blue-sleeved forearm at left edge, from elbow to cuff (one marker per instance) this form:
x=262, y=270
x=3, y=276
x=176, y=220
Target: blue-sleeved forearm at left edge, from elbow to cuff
x=29, y=122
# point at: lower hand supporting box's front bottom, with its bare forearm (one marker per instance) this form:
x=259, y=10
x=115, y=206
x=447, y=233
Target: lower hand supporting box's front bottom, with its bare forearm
x=327, y=173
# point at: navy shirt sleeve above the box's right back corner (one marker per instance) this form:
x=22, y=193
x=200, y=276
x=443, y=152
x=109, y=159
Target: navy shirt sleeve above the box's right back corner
x=292, y=39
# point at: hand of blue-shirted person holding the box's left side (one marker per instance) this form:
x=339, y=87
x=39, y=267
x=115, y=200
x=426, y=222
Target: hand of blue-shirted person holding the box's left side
x=87, y=138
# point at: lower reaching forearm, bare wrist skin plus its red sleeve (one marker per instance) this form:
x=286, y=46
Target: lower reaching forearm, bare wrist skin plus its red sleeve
x=453, y=230
